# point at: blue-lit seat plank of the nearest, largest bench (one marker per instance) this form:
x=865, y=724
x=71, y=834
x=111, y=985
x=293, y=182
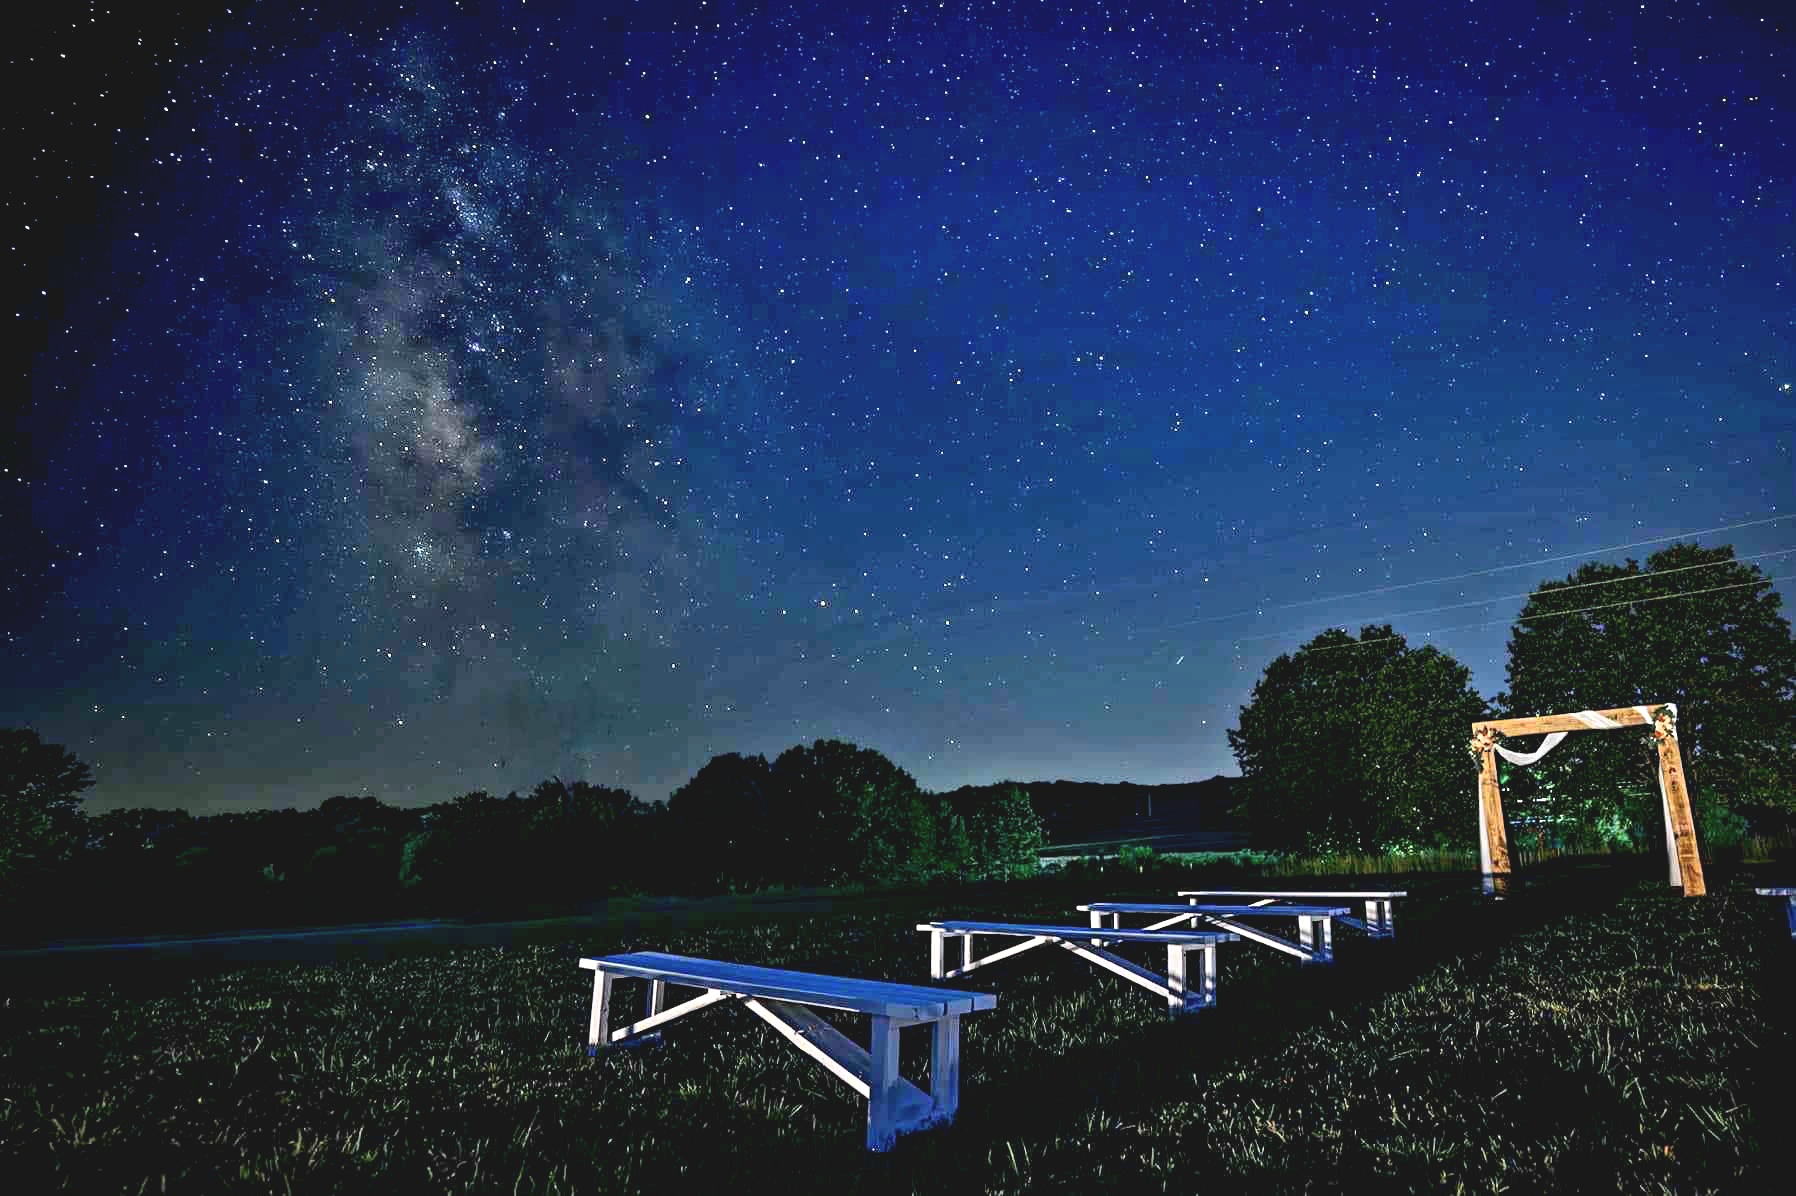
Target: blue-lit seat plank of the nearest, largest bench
x=913, y=1003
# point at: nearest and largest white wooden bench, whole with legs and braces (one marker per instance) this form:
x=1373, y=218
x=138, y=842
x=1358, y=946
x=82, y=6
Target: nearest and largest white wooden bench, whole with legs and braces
x=782, y=999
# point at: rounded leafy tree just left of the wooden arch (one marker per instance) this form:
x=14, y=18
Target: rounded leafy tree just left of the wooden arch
x=1359, y=746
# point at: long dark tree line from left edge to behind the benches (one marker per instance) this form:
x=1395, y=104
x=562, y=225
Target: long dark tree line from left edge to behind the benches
x=827, y=814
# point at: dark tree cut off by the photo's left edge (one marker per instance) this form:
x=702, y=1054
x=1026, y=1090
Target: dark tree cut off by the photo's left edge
x=40, y=804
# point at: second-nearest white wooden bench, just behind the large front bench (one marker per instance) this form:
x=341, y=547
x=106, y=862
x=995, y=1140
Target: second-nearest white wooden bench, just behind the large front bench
x=1183, y=990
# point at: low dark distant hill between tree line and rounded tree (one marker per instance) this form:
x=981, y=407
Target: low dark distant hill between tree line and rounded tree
x=1093, y=811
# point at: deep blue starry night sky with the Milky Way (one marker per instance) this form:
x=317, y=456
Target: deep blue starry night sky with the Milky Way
x=414, y=400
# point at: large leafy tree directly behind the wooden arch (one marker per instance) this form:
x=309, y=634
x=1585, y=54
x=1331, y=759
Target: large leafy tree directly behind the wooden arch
x=1695, y=628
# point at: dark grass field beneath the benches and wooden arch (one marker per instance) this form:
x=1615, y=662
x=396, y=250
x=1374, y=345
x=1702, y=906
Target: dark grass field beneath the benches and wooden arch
x=1592, y=1033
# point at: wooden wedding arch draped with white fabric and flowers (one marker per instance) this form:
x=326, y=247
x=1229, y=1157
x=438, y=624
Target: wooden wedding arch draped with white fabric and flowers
x=1680, y=829
